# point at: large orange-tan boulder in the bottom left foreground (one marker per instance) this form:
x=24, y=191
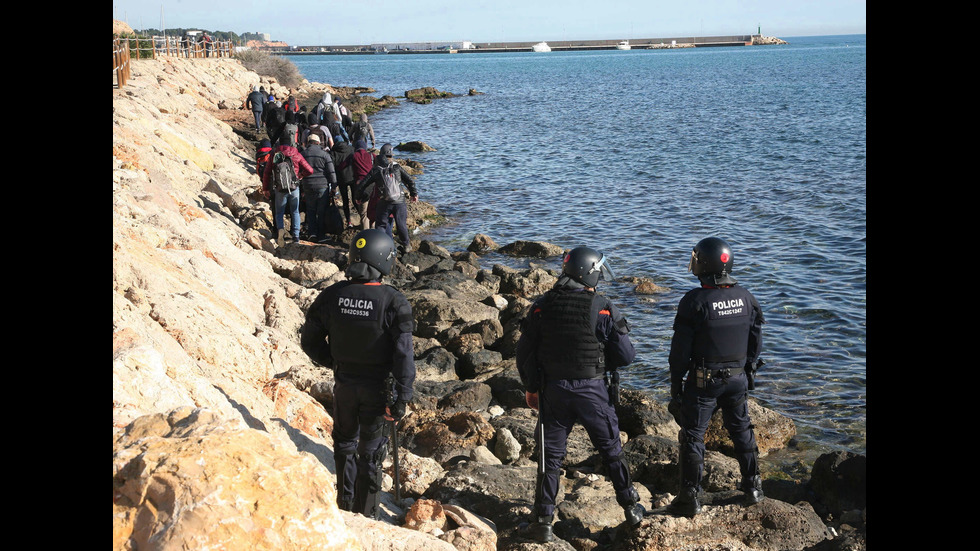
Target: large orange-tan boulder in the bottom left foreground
x=190, y=480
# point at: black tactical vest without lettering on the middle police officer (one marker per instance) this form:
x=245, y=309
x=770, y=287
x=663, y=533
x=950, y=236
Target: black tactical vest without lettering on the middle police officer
x=568, y=347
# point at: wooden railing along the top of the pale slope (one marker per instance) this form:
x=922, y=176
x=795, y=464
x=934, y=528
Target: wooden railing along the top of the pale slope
x=156, y=46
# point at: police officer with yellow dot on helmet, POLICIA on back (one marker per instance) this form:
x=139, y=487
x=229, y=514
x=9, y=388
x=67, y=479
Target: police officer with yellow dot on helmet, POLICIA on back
x=363, y=329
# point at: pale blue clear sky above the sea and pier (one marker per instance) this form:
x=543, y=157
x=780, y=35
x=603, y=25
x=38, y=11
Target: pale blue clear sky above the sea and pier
x=332, y=22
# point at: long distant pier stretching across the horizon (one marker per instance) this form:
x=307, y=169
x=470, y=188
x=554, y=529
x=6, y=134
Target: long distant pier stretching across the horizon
x=556, y=46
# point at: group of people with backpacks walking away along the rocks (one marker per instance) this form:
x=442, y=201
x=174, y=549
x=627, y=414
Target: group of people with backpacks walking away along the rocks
x=328, y=152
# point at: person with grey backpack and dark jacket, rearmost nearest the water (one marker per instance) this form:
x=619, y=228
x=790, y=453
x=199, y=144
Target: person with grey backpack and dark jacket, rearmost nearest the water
x=388, y=177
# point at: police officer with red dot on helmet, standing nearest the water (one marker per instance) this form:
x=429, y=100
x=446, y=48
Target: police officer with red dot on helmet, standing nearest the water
x=717, y=338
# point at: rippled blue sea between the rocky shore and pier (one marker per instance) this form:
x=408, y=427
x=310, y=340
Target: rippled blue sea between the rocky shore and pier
x=642, y=153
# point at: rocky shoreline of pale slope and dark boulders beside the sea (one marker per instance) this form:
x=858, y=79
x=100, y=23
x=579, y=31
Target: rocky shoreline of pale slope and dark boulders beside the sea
x=221, y=425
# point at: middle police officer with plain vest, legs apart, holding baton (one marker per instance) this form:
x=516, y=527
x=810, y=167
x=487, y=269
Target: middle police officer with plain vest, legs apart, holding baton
x=570, y=338
